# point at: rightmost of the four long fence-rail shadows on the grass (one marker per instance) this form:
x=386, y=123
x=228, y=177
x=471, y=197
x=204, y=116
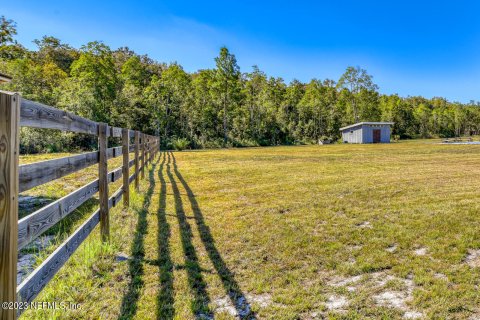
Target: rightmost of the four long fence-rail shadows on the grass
x=230, y=285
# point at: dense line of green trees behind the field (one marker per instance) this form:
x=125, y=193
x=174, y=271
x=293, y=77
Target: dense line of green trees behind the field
x=218, y=107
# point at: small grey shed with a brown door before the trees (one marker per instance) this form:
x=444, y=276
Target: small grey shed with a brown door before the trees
x=367, y=132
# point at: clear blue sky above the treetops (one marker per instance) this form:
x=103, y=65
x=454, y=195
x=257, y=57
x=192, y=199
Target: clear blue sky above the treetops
x=429, y=48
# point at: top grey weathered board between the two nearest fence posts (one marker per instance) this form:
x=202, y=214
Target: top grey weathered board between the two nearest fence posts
x=37, y=115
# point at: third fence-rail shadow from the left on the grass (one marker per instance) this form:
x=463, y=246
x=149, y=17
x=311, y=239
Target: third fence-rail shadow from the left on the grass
x=199, y=305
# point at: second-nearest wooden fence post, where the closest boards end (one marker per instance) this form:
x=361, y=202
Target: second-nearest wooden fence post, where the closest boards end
x=103, y=181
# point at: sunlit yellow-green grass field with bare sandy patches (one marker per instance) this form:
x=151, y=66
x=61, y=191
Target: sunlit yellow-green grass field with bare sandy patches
x=342, y=231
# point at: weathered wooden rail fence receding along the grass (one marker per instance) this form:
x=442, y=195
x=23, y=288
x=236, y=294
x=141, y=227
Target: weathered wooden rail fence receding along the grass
x=16, y=112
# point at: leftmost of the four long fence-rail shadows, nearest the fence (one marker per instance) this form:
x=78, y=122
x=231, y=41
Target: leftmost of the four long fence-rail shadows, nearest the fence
x=130, y=299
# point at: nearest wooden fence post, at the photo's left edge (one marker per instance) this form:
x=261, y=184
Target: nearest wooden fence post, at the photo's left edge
x=9, y=150
